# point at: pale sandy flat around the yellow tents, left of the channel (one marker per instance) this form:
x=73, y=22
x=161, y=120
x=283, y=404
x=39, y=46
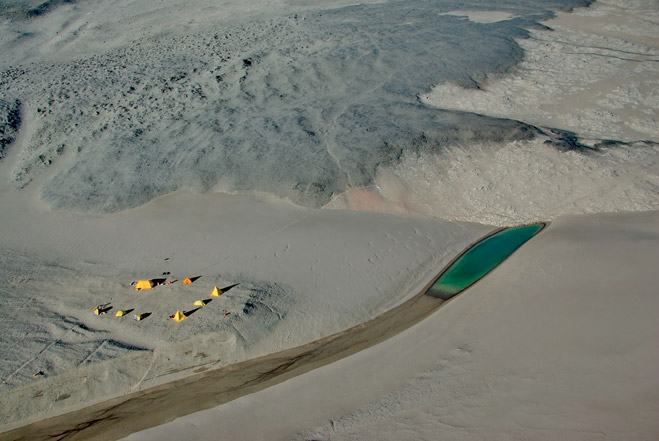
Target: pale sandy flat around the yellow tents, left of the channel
x=303, y=274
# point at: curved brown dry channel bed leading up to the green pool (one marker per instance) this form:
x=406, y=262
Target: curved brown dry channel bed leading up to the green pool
x=116, y=418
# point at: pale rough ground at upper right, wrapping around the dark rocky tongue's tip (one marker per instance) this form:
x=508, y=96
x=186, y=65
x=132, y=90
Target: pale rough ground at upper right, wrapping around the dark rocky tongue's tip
x=593, y=72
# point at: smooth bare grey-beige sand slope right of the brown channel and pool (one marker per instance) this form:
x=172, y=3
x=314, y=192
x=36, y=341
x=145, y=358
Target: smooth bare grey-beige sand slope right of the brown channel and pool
x=557, y=343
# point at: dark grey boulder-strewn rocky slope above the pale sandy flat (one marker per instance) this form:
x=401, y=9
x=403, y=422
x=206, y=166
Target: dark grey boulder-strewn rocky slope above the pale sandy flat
x=300, y=106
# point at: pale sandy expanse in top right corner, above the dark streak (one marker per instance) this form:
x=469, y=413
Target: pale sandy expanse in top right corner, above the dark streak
x=593, y=71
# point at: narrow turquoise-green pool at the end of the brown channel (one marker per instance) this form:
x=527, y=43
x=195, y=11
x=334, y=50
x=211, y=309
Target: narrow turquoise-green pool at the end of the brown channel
x=480, y=260
